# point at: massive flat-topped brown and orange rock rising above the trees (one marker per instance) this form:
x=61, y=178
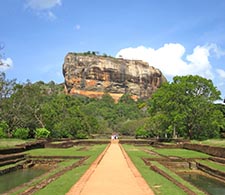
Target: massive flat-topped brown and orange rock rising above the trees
x=92, y=76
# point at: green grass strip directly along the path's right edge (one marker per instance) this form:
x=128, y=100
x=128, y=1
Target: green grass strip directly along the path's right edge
x=159, y=184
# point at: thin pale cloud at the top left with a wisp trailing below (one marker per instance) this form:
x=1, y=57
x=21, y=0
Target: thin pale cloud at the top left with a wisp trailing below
x=43, y=7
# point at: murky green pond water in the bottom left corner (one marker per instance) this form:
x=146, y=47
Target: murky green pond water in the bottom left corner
x=13, y=179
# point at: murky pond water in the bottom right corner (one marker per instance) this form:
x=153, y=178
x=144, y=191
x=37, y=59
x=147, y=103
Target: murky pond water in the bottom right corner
x=208, y=184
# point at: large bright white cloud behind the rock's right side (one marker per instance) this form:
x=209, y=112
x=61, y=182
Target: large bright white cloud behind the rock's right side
x=172, y=60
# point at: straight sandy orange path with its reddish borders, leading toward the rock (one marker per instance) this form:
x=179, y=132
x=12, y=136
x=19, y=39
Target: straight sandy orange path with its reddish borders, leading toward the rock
x=111, y=173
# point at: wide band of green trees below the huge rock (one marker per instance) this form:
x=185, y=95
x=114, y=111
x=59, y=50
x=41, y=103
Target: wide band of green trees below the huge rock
x=182, y=108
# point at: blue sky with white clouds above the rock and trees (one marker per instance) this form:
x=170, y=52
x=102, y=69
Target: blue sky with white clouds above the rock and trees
x=178, y=37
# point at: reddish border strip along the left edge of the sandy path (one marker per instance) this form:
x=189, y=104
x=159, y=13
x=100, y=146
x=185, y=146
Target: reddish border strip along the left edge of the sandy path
x=78, y=187
